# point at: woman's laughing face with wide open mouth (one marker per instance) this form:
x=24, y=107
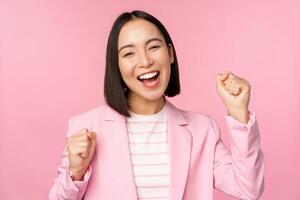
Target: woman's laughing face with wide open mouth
x=144, y=60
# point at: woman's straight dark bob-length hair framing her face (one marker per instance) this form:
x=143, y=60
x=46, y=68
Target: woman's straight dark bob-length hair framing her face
x=115, y=89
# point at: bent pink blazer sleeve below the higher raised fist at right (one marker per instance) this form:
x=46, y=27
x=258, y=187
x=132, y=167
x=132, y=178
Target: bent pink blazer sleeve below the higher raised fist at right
x=240, y=170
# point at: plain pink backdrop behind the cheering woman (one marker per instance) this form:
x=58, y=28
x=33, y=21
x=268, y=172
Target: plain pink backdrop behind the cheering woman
x=52, y=65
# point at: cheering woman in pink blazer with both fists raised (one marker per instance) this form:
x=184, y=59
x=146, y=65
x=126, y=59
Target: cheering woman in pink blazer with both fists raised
x=140, y=146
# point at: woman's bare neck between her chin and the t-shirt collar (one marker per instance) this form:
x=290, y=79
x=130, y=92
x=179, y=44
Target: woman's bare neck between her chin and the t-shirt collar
x=145, y=107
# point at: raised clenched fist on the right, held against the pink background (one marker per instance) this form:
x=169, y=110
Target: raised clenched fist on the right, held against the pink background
x=235, y=93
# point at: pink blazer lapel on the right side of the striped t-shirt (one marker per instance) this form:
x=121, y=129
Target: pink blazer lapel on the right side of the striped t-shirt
x=180, y=141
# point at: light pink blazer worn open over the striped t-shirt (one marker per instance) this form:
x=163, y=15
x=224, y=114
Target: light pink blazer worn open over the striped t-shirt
x=199, y=160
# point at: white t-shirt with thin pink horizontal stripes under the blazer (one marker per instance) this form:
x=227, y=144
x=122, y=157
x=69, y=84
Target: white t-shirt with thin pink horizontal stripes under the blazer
x=148, y=144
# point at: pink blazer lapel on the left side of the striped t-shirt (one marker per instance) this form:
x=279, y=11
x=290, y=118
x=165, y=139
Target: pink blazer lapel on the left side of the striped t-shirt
x=117, y=144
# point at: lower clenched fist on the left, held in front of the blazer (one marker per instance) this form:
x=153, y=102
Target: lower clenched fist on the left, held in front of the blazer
x=81, y=147
